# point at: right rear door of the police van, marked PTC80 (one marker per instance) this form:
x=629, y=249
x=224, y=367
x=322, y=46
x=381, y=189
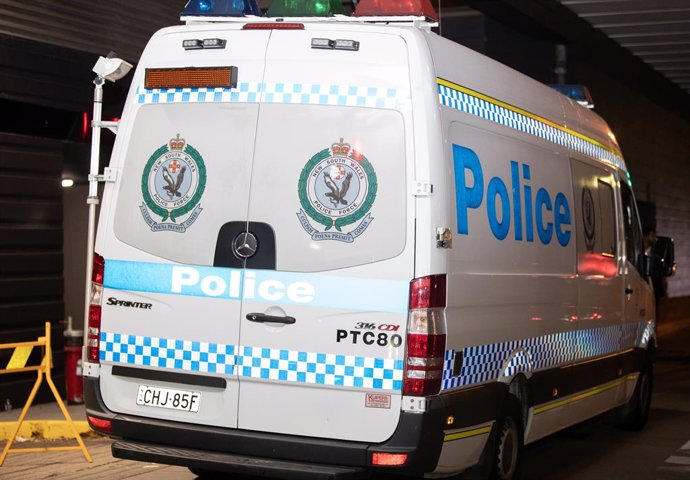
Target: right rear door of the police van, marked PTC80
x=323, y=324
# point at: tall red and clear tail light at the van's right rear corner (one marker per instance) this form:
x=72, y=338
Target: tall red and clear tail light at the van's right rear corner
x=426, y=336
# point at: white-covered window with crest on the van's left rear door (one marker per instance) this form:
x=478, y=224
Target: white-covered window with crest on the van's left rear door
x=185, y=173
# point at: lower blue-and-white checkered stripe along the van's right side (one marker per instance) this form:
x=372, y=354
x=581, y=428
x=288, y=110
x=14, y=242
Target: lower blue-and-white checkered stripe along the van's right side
x=490, y=362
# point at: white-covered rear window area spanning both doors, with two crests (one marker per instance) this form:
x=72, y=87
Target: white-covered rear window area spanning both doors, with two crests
x=328, y=183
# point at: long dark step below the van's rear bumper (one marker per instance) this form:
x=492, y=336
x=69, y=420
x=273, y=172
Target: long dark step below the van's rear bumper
x=234, y=463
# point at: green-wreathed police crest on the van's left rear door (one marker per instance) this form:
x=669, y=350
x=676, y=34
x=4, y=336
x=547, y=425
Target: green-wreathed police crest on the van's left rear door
x=173, y=182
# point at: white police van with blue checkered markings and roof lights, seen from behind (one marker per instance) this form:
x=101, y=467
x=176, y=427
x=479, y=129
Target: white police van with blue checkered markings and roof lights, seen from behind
x=337, y=245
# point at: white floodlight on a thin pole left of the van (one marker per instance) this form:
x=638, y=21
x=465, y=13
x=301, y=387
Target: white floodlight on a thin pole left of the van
x=109, y=68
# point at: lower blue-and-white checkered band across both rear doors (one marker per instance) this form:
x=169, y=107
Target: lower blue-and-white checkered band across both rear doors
x=253, y=362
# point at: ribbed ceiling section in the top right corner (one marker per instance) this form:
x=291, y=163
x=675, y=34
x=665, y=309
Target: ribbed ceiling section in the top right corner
x=656, y=31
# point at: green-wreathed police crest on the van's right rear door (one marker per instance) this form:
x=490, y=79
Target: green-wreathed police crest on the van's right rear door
x=337, y=188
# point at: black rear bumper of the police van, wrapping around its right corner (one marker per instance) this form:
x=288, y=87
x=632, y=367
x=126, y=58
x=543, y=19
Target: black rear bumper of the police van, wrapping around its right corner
x=420, y=436
